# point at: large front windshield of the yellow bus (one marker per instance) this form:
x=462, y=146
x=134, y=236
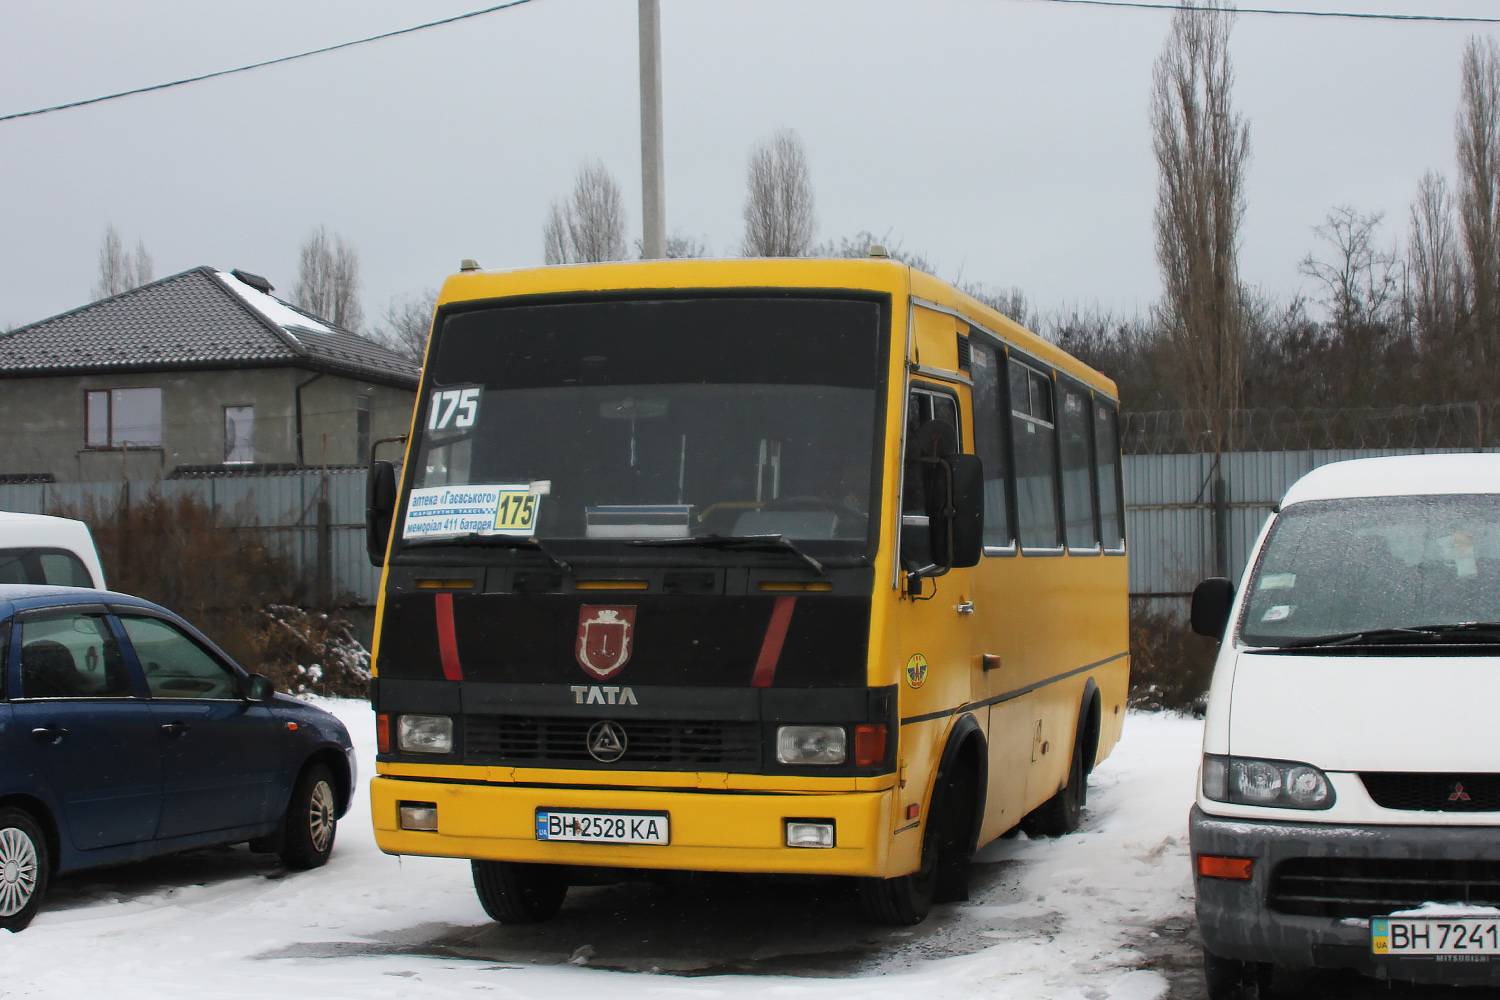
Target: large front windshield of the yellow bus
x=658, y=419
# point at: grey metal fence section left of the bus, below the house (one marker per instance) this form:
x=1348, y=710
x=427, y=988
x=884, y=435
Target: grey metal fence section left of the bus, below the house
x=326, y=542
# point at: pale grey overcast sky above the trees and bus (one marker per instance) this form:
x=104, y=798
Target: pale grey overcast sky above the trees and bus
x=1007, y=140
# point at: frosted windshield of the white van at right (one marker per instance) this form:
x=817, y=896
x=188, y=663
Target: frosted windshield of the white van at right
x=1339, y=569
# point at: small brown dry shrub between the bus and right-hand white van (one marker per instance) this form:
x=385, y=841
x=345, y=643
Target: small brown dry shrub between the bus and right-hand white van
x=1171, y=665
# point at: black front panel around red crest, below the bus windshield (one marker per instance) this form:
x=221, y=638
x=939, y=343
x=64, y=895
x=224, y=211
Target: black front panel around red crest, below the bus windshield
x=712, y=641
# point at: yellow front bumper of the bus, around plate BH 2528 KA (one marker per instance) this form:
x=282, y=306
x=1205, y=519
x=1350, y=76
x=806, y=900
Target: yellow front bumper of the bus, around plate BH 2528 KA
x=709, y=831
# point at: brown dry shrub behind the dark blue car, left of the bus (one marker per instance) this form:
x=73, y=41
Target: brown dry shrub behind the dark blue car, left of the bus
x=217, y=570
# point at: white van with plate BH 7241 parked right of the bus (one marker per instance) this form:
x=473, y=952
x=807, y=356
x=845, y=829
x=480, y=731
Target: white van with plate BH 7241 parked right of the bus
x=1349, y=803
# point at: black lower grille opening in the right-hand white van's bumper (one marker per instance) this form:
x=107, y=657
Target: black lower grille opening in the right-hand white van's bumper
x=1373, y=887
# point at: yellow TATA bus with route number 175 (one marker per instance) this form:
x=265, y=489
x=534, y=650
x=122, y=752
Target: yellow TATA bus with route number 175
x=761, y=566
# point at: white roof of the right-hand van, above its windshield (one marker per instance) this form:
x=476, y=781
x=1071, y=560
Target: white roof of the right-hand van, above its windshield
x=1400, y=476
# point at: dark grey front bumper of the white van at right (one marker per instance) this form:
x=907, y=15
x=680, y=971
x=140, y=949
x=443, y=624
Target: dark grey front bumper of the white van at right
x=1237, y=921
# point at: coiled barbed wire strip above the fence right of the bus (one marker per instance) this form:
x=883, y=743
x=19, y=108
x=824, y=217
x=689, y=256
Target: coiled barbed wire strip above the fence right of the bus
x=1465, y=427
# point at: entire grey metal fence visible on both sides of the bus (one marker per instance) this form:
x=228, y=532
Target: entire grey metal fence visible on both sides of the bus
x=1180, y=531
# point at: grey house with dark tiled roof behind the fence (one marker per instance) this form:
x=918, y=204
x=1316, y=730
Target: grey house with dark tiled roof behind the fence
x=203, y=373
